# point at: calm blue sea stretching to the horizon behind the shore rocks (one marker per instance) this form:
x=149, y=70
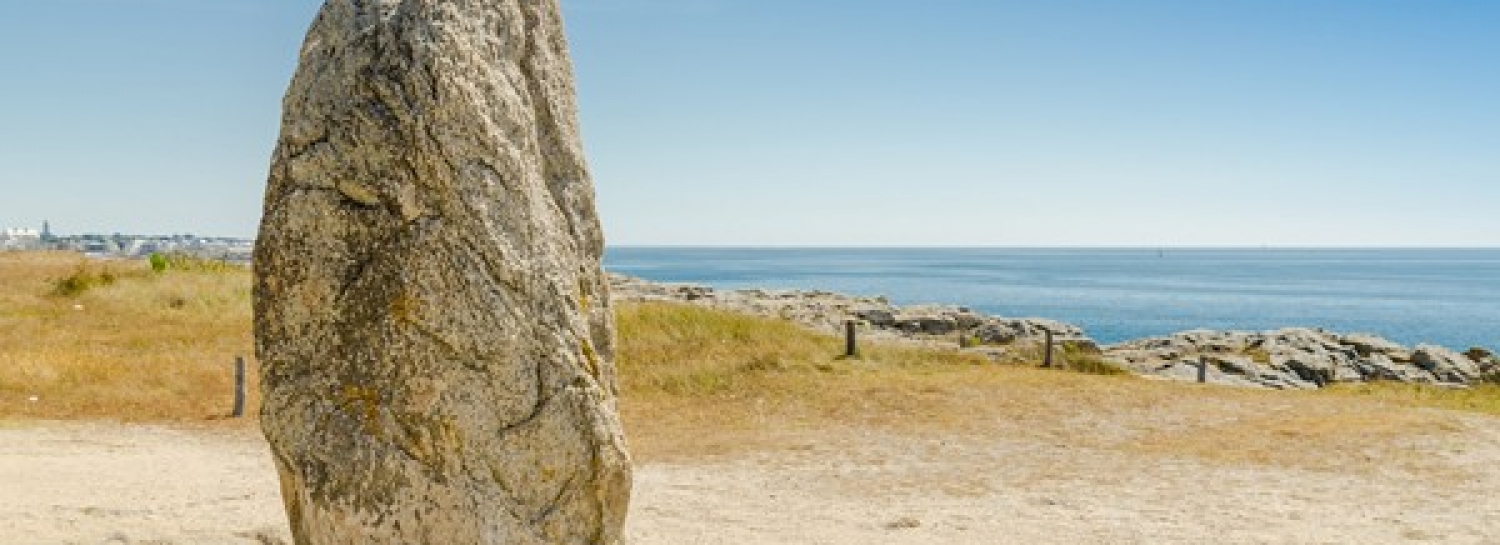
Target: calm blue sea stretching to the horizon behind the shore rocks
x=1441, y=297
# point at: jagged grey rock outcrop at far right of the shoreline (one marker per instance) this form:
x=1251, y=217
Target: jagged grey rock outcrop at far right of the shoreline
x=1300, y=360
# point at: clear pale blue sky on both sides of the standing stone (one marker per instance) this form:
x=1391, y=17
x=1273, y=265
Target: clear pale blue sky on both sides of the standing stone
x=874, y=122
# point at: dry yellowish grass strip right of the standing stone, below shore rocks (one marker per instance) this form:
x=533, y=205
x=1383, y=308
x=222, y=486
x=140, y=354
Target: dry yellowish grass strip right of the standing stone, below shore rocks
x=701, y=384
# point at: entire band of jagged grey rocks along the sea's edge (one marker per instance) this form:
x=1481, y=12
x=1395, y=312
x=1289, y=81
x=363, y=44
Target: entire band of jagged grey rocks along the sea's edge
x=1280, y=360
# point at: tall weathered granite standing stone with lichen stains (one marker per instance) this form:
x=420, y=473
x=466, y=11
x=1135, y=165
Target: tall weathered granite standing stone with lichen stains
x=430, y=309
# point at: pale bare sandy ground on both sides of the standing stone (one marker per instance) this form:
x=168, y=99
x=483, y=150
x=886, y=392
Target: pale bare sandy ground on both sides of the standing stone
x=118, y=484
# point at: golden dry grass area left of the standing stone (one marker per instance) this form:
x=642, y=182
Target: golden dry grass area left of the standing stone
x=136, y=348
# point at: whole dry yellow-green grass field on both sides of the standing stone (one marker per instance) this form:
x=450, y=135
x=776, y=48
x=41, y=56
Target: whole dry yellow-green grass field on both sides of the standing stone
x=115, y=340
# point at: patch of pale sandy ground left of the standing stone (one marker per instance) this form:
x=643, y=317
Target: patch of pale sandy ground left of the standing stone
x=116, y=484
